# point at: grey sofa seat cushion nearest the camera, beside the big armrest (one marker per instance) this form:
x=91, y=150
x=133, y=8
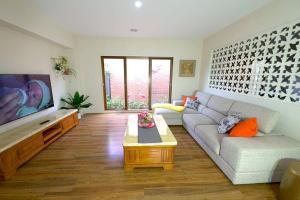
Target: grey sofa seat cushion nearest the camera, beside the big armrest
x=210, y=136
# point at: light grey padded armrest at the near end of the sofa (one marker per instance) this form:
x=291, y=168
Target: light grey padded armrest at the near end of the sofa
x=263, y=153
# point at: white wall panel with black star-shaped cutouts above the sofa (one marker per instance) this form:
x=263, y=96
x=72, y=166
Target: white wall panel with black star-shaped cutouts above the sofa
x=267, y=65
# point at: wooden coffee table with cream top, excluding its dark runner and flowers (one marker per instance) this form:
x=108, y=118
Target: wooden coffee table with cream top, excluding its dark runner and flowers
x=148, y=154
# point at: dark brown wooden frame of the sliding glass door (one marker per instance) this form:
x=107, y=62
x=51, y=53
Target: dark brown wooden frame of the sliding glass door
x=124, y=58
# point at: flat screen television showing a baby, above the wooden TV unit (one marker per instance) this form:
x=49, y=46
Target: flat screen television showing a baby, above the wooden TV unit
x=24, y=94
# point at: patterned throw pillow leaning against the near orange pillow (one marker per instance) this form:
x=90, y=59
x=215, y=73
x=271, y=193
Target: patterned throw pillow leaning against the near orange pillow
x=229, y=122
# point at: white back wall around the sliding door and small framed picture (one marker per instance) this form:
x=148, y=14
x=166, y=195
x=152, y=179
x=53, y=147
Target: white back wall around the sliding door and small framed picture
x=88, y=51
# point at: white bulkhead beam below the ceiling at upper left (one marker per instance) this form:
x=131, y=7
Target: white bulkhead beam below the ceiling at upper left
x=26, y=15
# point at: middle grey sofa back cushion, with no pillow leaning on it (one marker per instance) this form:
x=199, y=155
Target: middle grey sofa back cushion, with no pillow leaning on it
x=220, y=104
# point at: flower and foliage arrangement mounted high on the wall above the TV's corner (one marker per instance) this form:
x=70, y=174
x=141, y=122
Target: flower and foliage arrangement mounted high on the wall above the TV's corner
x=61, y=66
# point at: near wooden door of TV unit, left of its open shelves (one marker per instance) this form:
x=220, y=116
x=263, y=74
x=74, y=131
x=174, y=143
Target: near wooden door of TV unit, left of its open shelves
x=29, y=147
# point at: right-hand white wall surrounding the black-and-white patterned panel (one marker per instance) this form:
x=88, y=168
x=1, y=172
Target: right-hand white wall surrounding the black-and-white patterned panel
x=277, y=13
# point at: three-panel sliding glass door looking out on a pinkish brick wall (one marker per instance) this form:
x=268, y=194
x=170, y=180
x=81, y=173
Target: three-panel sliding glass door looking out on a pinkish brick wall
x=131, y=83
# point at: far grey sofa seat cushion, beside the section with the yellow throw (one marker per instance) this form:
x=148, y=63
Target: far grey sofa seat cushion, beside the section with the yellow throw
x=193, y=120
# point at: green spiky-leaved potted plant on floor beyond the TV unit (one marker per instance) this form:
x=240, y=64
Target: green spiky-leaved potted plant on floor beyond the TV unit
x=76, y=101
